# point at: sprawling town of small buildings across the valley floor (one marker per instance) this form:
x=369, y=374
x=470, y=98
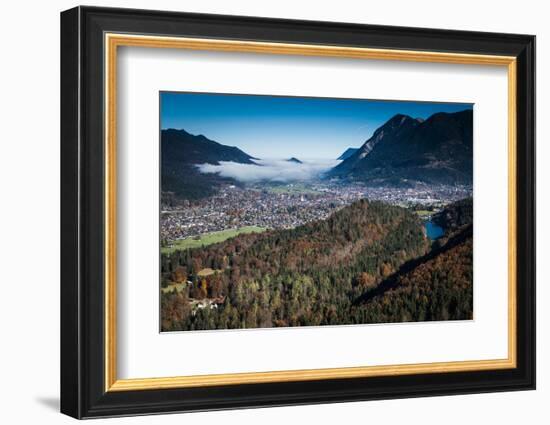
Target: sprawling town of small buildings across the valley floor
x=286, y=206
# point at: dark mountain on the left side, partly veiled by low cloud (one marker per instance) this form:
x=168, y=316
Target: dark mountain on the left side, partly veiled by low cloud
x=181, y=152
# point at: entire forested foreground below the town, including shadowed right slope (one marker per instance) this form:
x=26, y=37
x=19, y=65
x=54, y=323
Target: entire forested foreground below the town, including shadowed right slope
x=369, y=262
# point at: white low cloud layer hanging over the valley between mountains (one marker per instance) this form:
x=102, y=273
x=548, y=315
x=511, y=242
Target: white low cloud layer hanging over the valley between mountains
x=273, y=170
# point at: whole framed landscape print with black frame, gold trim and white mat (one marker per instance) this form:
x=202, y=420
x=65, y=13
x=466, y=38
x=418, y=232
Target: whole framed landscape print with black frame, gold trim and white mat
x=261, y=212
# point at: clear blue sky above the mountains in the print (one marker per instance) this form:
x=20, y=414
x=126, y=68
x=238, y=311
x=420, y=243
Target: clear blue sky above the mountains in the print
x=281, y=127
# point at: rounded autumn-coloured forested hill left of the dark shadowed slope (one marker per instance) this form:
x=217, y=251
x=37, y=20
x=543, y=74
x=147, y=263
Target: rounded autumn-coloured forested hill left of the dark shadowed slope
x=309, y=275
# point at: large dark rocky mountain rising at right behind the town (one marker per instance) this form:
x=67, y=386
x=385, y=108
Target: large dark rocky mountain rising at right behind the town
x=405, y=151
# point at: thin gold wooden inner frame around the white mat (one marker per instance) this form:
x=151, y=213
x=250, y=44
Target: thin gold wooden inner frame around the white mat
x=113, y=41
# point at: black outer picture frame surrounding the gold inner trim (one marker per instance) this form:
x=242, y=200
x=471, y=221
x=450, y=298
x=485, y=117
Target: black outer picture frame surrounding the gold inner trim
x=83, y=392
